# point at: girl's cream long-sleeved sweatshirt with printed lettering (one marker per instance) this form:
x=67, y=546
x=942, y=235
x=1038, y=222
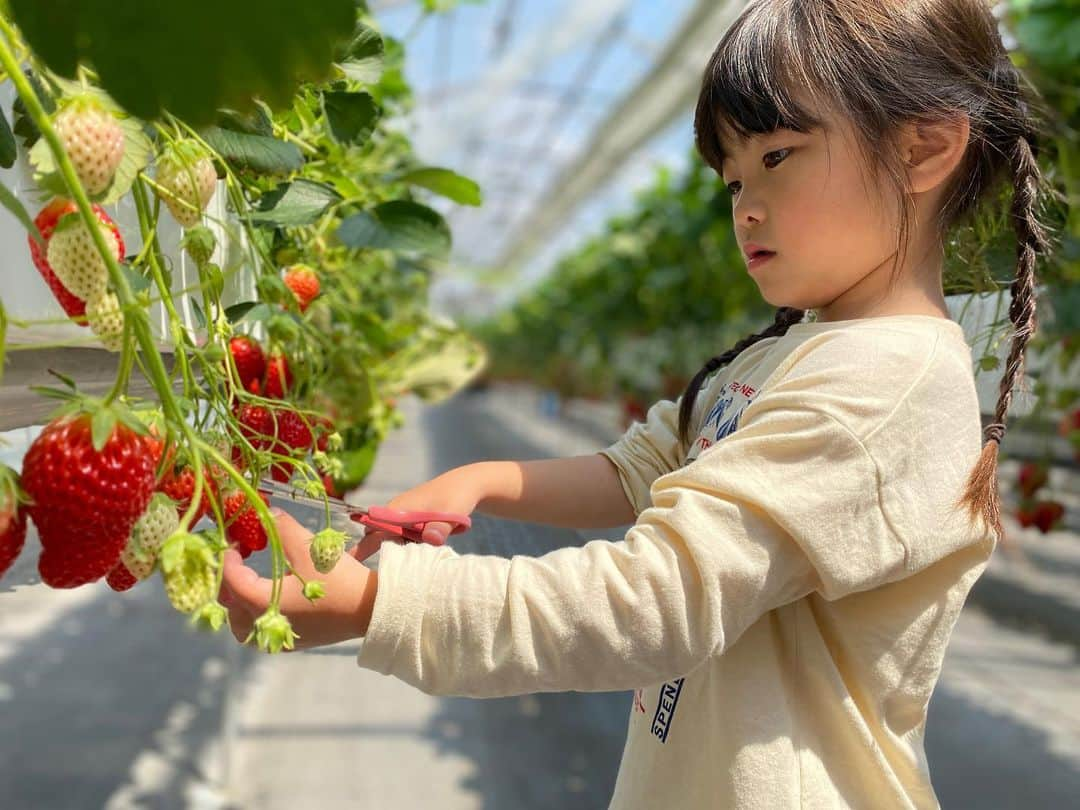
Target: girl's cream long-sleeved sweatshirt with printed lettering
x=782, y=604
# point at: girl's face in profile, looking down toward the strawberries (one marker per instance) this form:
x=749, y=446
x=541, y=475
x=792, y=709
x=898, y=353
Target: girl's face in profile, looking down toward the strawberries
x=808, y=198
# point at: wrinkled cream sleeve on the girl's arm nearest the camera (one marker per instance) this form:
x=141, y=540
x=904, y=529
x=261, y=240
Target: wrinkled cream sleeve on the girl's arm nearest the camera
x=788, y=505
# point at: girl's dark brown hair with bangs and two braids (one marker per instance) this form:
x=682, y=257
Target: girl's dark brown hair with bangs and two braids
x=882, y=65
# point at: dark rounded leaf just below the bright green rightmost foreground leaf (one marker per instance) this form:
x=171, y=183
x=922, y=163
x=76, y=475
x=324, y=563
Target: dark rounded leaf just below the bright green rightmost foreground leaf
x=399, y=225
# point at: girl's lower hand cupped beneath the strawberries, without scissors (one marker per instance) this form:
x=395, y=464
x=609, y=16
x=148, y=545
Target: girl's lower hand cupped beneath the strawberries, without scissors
x=343, y=614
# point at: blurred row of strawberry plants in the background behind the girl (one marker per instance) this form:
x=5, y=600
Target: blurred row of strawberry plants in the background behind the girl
x=636, y=312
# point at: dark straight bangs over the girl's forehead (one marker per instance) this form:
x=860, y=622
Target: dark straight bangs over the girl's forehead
x=749, y=86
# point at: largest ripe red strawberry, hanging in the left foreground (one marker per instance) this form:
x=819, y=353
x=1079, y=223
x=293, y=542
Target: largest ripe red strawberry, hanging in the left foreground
x=86, y=502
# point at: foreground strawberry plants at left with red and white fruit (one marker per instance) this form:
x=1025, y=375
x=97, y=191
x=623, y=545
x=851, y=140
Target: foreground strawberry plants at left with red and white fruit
x=326, y=218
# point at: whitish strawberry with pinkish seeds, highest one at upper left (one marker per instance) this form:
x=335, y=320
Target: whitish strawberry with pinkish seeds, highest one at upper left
x=93, y=140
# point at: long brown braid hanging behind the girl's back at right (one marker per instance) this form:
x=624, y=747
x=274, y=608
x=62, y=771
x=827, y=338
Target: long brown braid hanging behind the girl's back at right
x=982, y=495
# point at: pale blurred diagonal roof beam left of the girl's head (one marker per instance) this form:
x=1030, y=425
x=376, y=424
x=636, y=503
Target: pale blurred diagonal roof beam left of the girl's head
x=666, y=93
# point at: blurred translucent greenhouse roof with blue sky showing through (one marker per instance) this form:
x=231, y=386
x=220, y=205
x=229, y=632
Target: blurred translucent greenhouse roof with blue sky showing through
x=560, y=111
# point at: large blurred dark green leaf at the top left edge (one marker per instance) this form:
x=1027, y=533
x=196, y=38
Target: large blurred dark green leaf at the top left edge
x=192, y=59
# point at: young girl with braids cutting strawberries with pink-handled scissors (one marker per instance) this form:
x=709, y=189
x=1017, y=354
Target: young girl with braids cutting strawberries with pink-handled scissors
x=809, y=518
